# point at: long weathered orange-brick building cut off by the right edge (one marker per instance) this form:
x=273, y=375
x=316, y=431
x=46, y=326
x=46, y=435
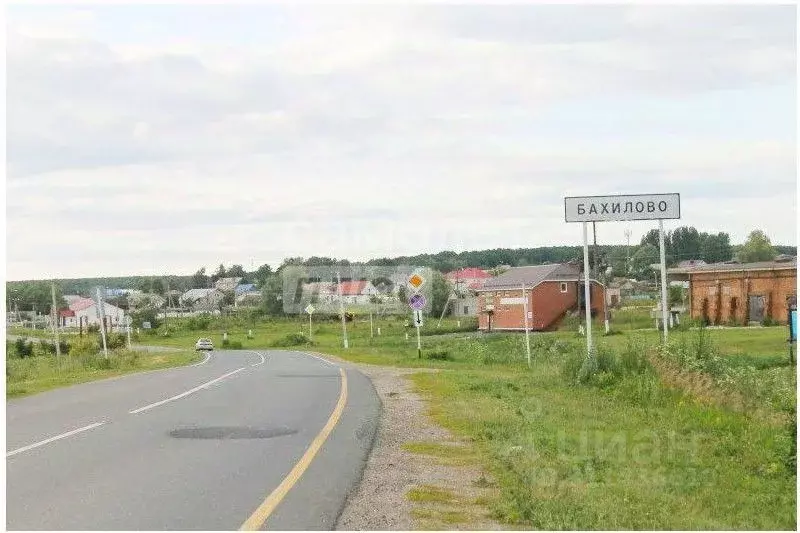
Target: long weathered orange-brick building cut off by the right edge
x=740, y=293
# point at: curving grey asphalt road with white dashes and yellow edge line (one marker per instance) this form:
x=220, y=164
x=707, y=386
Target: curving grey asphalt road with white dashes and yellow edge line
x=193, y=448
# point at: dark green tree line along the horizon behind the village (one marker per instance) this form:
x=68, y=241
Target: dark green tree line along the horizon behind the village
x=682, y=243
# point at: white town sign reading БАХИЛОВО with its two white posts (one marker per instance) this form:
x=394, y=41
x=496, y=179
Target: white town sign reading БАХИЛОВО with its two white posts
x=620, y=208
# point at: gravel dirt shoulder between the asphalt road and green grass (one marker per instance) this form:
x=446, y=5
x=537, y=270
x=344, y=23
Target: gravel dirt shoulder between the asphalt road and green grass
x=418, y=475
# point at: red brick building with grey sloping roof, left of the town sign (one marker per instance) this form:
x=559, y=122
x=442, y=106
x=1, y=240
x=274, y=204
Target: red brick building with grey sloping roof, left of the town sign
x=552, y=291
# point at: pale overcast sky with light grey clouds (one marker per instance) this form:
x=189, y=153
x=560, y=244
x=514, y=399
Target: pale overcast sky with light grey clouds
x=152, y=139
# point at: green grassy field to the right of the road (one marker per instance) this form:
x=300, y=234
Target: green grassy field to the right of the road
x=695, y=437
